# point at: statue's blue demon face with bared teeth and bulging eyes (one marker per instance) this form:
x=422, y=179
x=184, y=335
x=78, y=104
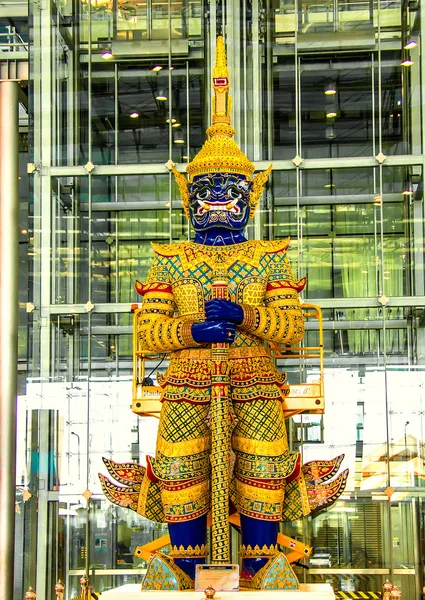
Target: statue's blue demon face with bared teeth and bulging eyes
x=219, y=200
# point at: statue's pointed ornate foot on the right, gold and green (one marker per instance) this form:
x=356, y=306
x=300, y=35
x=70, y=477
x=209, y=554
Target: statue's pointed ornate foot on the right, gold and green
x=277, y=574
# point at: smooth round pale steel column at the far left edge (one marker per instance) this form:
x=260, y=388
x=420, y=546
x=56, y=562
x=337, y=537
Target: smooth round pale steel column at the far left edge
x=9, y=264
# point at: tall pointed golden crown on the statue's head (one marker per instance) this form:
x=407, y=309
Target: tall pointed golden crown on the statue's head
x=220, y=152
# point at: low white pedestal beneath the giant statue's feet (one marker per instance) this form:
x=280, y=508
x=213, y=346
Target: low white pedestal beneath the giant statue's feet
x=308, y=591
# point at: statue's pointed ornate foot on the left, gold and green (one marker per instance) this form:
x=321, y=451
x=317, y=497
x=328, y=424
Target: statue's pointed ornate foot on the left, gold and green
x=164, y=574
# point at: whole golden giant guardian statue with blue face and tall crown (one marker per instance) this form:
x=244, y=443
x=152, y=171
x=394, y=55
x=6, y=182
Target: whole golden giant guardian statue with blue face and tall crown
x=216, y=306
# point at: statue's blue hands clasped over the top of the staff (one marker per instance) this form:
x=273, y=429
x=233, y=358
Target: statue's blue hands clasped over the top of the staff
x=222, y=317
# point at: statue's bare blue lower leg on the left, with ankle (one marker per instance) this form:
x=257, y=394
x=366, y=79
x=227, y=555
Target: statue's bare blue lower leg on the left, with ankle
x=189, y=533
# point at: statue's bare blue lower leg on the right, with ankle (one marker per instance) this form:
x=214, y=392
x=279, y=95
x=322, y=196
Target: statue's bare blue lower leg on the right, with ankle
x=256, y=532
